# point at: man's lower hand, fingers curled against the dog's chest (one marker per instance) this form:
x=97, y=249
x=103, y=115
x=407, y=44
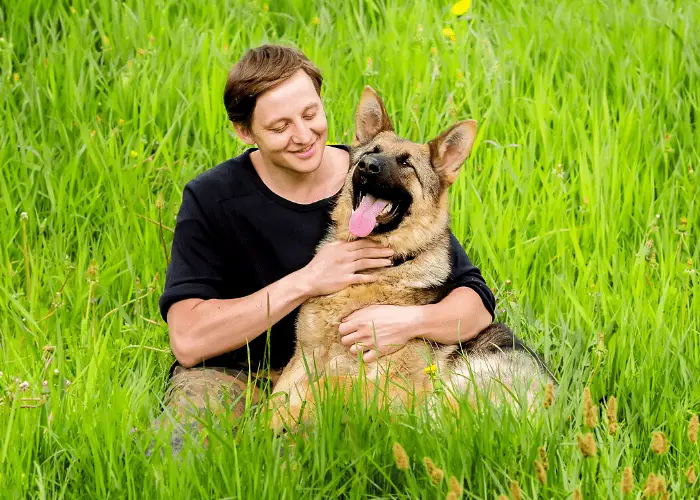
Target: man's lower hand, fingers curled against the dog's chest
x=379, y=330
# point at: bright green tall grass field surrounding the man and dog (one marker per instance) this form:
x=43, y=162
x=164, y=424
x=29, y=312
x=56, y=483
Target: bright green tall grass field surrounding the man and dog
x=579, y=204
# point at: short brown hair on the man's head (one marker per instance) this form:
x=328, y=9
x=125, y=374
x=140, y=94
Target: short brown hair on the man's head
x=259, y=70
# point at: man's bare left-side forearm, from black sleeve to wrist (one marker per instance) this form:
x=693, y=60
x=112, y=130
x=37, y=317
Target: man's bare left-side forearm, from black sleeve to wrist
x=214, y=327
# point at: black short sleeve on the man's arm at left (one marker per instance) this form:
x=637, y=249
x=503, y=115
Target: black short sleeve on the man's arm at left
x=196, y=265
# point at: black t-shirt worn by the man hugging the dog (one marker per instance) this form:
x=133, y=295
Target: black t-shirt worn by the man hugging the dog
x=234, y=236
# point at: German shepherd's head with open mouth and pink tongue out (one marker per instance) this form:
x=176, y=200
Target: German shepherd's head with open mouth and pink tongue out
x=396, y=190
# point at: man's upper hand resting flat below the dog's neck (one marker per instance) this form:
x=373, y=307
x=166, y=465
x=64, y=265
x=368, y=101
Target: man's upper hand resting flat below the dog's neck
x=338, y=264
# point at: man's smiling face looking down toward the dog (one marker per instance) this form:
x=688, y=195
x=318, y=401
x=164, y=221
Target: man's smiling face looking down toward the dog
x=289, y=125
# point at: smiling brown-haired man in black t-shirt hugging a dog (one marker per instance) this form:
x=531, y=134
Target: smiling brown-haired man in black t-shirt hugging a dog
x=243, y=253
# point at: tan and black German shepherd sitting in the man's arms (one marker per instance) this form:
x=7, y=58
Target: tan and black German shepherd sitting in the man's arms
x=396, y=192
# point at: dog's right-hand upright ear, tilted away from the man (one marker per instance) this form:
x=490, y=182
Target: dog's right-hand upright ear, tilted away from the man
x=449, y=150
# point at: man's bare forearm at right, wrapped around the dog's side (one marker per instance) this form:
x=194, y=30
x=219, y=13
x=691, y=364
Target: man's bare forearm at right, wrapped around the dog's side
x=458, y=317
